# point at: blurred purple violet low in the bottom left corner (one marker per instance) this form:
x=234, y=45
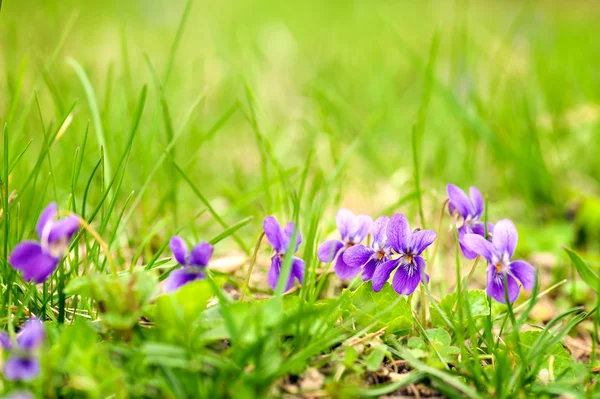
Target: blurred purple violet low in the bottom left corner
x=23, y=363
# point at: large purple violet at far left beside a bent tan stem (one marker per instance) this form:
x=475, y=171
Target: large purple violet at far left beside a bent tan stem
x=36, y=260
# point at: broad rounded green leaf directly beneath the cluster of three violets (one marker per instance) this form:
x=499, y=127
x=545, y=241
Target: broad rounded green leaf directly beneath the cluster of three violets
x=383, y=308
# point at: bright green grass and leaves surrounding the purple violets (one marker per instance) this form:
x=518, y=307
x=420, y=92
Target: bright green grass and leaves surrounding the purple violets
x=197, y=118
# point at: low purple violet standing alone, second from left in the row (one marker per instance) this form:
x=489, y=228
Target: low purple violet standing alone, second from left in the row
x=193, y=263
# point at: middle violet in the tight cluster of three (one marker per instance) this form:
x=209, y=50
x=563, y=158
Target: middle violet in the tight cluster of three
x=370, y=257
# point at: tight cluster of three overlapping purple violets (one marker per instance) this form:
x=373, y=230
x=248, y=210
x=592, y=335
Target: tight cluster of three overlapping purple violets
x=395, y=247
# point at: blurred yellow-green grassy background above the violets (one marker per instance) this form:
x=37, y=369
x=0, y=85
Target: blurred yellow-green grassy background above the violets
x=512, y=103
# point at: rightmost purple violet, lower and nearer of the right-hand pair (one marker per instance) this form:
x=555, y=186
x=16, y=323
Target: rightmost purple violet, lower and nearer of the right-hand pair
x=499, y=253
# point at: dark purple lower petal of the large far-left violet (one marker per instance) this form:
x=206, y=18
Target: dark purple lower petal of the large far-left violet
x=29, y=257
